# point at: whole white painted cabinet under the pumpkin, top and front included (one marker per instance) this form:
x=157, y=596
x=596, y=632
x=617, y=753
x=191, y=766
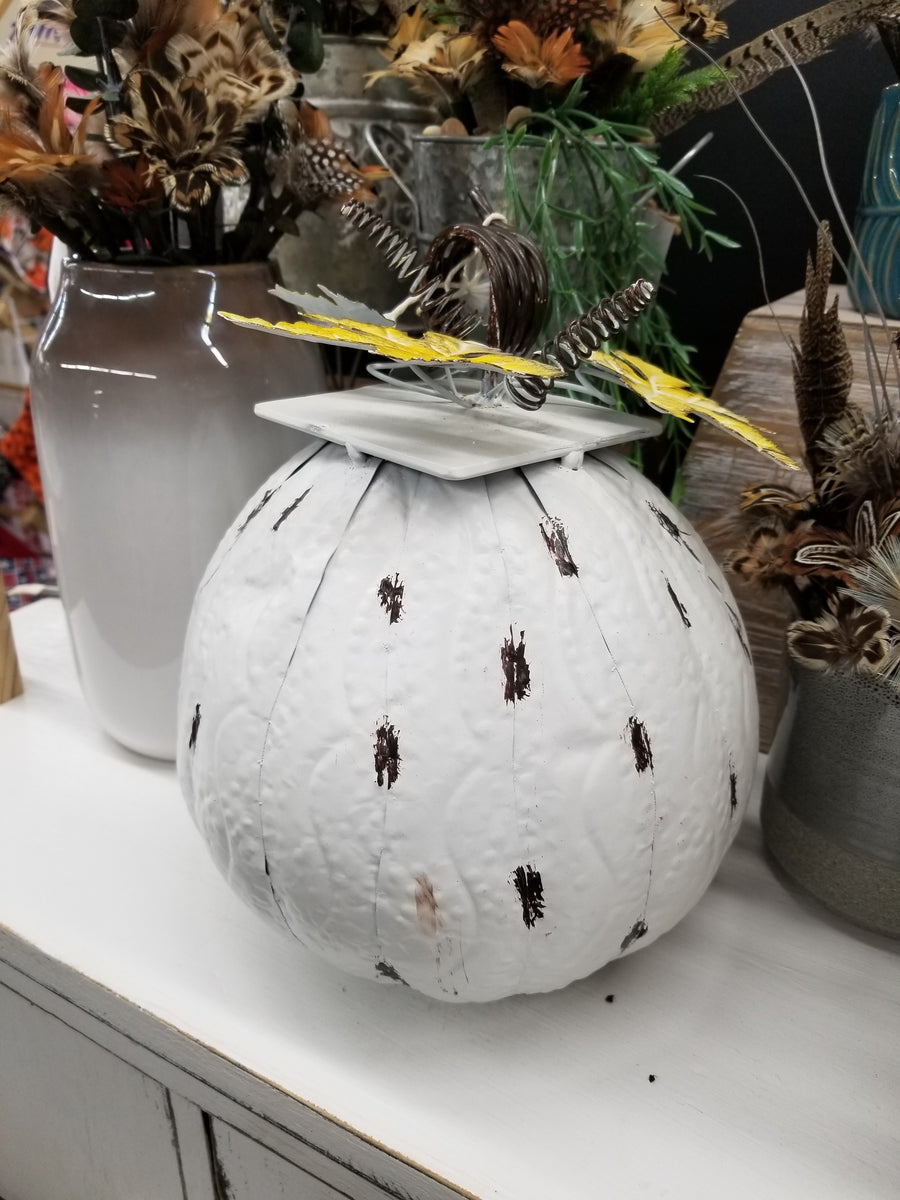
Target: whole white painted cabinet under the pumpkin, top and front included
x=159, y=1042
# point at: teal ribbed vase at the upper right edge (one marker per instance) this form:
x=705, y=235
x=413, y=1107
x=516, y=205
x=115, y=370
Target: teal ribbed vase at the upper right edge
x=878, y=225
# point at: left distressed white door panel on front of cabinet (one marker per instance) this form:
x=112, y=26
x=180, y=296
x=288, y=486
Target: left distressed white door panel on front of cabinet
x=76, y=1123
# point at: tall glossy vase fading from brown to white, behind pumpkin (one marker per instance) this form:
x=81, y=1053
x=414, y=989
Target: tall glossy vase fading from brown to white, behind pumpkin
x=143, y=404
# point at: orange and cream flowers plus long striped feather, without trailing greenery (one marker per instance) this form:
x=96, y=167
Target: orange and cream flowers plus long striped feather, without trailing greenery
x=489, y=64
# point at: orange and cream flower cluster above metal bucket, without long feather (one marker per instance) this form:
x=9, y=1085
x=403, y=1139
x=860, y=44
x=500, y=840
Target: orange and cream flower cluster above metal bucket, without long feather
x=488, y=64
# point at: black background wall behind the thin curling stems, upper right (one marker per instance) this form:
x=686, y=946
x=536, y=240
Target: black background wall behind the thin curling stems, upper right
x=707, y=301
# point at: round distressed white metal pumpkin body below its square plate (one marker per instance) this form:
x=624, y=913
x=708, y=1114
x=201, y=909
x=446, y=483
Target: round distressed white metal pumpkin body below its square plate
x=481, y=737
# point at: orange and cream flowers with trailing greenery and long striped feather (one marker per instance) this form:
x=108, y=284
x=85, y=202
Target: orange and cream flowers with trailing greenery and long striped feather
x=593, y=86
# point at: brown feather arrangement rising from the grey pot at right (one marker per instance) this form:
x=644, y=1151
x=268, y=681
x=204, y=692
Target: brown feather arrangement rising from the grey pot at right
x=835, y=549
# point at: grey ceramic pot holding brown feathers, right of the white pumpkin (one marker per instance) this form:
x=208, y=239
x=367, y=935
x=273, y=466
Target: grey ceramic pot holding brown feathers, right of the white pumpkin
x=831, y=808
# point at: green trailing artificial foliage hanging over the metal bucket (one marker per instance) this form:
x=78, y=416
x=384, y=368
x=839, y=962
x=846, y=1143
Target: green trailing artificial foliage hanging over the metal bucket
x=590, y=207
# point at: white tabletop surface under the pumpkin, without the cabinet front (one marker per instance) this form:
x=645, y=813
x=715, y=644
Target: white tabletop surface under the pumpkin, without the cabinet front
x=773, y=1030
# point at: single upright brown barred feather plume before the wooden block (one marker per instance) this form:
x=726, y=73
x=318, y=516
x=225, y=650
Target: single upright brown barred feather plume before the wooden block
x=823, y=365
